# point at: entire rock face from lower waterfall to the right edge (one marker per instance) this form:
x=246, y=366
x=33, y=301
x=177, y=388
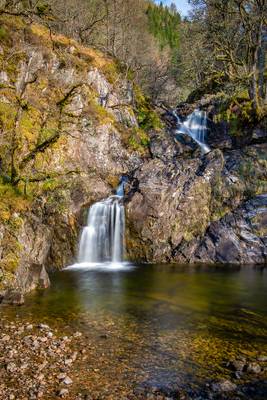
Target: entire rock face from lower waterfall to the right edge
x=197, y=209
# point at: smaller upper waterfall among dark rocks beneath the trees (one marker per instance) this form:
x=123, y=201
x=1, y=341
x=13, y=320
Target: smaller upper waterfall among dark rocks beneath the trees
x=195, y=126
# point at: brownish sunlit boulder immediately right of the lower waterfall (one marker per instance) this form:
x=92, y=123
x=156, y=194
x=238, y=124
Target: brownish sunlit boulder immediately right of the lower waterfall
x=172, y=204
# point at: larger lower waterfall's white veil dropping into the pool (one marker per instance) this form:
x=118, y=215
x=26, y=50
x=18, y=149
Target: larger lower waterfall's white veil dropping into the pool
x=102, y=239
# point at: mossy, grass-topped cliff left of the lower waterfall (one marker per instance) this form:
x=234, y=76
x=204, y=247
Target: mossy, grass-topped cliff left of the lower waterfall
x=67, y=134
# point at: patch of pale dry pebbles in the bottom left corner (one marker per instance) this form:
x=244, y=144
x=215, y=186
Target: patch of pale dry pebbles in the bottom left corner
x=36, y=361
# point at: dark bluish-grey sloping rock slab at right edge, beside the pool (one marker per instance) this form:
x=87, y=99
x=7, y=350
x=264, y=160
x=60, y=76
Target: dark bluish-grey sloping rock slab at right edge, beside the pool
x=239, y=237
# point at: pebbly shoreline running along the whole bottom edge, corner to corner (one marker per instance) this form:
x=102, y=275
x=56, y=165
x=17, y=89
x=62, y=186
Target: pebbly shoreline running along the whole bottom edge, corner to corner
x=40, y=362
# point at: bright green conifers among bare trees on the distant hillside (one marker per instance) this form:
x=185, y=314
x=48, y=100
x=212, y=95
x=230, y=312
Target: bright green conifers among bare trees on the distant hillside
x=164, y=25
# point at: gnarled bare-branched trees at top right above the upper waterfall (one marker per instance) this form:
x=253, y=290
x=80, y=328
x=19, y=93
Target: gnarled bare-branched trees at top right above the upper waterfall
x=232, y=33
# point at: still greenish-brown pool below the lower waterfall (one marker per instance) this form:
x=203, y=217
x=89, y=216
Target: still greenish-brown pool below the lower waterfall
x=165, y=325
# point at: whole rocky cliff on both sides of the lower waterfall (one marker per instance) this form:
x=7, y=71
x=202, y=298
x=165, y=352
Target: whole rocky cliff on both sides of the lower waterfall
x=68, y=131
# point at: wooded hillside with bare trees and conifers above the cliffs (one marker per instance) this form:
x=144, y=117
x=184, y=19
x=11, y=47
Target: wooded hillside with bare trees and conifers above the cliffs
x=219, y=50
